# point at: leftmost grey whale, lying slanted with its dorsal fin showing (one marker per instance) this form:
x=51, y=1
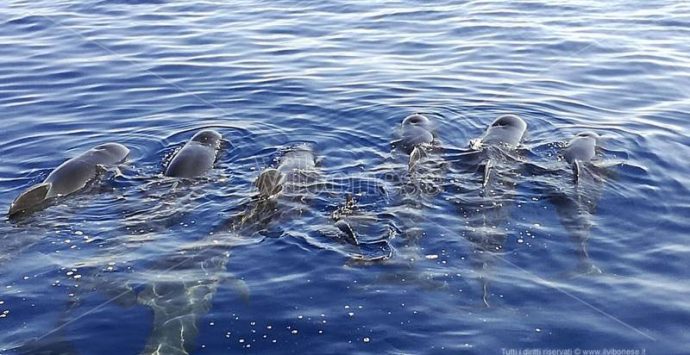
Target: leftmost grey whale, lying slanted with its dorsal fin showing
x=70, y=177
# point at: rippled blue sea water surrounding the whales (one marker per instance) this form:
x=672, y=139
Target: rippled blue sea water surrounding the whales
x=341, y=75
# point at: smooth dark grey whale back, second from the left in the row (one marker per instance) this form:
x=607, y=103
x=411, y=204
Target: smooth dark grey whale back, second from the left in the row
x=196, y=158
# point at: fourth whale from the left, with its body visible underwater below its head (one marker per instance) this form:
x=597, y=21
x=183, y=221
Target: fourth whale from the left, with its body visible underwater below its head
x=413, y=179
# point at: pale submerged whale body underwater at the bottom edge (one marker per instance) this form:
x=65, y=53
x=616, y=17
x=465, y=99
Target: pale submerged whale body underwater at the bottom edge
x=183, y=293
